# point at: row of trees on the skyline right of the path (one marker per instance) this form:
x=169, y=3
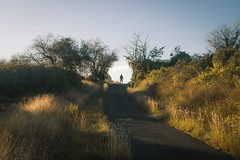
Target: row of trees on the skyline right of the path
x=225, y=41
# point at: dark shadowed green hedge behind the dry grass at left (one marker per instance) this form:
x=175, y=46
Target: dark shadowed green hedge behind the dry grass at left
x=28, y=80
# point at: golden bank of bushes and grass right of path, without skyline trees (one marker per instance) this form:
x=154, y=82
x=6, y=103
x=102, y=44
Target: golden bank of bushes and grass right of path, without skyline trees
x=198, y=99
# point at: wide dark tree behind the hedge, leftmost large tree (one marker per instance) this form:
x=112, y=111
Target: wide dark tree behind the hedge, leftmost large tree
x=56, y=51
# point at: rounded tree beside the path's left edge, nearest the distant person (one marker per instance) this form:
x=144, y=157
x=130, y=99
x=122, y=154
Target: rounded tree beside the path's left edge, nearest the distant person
x=98, y=58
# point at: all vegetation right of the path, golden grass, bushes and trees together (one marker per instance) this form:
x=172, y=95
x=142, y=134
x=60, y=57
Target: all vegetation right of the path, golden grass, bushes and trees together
x=198, y=94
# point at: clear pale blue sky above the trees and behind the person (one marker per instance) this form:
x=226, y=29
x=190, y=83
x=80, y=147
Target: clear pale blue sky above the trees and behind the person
x=167, y=22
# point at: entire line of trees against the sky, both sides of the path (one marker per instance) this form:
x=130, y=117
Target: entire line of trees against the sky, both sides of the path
x=92, y=58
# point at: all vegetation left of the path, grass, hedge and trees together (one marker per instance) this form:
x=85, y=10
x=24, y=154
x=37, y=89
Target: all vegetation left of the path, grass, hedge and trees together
x=51, y=103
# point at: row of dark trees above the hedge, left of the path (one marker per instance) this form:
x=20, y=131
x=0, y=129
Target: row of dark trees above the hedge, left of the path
x=89, y=58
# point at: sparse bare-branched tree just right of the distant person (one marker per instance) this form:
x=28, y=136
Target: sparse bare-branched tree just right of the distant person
x=140, y=59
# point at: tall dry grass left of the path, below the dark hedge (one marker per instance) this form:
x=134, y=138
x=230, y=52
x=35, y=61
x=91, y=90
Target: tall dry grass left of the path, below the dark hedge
x=61, y=127
